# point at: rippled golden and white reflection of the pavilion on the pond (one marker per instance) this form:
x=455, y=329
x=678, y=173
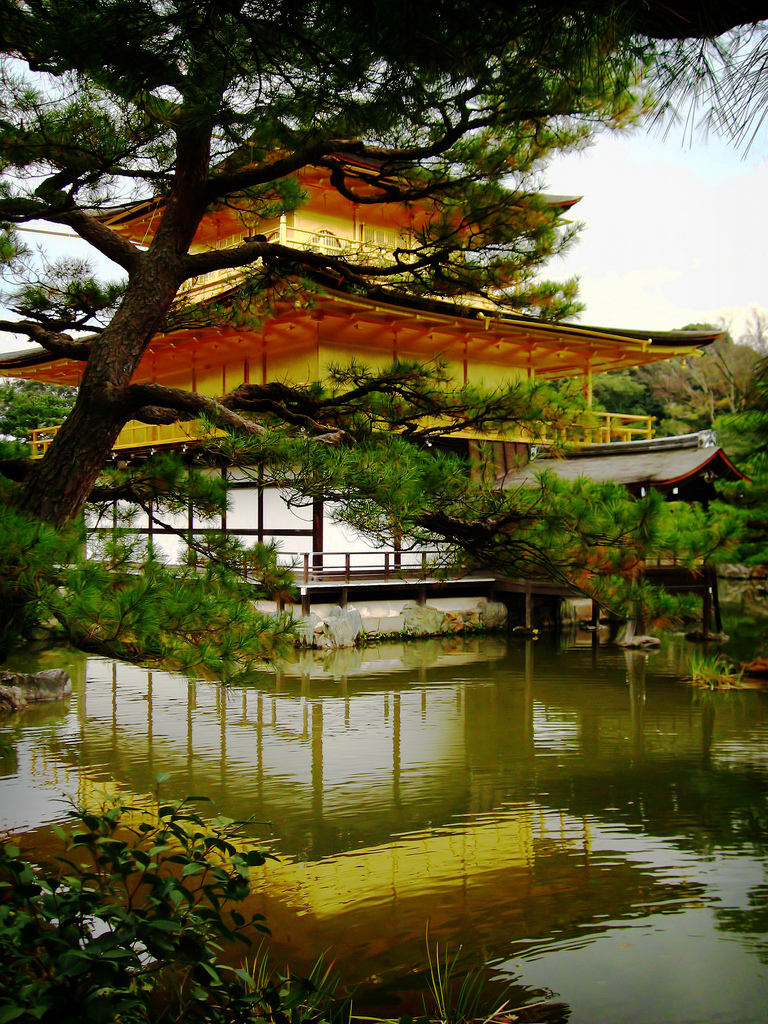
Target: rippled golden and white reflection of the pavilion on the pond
x=386, y=801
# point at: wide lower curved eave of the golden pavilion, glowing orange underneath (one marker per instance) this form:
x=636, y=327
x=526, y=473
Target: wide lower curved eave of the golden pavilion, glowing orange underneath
x=397, y=327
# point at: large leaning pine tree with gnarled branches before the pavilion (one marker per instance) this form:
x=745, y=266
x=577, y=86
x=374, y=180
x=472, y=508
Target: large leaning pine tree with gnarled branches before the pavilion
x=192, y=105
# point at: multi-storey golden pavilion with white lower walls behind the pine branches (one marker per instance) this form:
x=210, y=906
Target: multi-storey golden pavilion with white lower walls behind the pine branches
x=300, y=340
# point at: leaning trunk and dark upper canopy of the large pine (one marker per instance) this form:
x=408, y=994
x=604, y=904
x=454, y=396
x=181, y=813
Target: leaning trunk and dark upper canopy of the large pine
x=194, y=105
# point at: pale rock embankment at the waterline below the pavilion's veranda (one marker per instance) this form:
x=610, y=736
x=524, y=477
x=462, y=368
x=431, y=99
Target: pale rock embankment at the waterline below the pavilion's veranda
x=348, y=627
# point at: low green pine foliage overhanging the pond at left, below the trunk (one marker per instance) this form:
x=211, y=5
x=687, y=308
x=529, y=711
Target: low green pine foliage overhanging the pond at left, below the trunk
x=123, y=603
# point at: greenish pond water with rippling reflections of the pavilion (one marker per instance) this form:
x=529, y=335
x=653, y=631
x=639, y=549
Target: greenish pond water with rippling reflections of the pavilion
x=579, y=819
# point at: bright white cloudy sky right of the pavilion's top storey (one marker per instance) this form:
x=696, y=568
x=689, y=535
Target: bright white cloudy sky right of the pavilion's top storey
x=676, y=231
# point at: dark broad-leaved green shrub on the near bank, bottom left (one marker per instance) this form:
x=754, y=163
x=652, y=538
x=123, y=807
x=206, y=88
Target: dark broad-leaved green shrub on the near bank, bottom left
x=129, y=925
